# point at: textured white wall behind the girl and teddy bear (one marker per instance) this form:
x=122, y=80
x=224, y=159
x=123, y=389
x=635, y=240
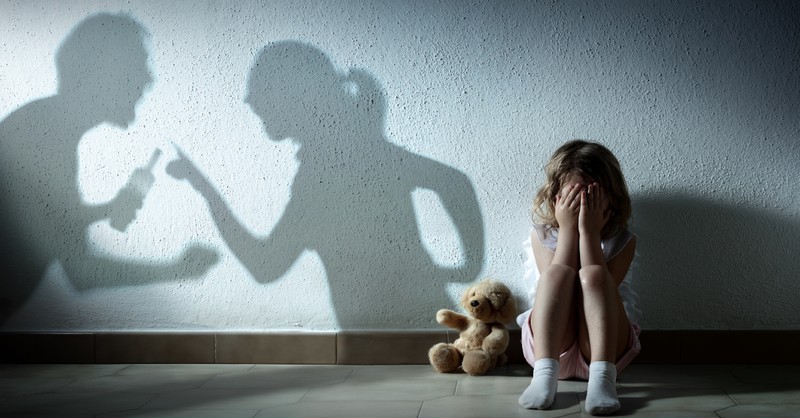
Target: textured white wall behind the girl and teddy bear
x=700, y=102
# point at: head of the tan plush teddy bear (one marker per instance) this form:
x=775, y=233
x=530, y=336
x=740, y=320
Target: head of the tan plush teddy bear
x=490, y=301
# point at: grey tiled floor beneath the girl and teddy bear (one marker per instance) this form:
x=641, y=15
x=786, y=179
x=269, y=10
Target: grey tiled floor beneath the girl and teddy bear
x=725, y=391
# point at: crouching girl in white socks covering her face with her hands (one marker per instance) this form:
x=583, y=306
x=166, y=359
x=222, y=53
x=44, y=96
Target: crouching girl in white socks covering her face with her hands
x=583, y=321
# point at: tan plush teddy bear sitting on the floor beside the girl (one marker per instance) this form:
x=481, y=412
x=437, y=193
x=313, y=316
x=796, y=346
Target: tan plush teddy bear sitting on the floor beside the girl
x=483, y=339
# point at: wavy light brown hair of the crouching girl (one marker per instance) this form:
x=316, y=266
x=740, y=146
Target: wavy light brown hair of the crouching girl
x=591, y=160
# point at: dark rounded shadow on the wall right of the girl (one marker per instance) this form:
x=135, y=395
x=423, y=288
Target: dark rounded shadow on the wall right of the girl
x=706, y=262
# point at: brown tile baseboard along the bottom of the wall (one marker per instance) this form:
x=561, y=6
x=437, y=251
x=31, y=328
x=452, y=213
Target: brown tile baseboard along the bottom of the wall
x=359, y=347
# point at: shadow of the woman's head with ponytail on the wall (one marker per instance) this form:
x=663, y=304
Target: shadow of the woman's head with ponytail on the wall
x=298, y=93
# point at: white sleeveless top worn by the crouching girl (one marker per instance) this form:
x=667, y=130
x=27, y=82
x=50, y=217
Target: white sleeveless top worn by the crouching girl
x=611, y=247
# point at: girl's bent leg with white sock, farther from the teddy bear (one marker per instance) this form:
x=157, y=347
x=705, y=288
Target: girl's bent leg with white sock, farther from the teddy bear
x=603, y=337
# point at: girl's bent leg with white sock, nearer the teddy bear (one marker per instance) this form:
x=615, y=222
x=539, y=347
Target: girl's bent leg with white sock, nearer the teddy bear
x=554, y=325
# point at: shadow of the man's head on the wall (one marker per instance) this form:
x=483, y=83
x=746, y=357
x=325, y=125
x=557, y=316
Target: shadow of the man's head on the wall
x=103, y=64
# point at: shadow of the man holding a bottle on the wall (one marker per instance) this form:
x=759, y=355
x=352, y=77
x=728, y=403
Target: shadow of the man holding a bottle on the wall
x=102, y=74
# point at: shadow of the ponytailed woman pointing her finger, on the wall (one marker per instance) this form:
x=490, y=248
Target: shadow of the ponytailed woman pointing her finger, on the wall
x=351, y=199
